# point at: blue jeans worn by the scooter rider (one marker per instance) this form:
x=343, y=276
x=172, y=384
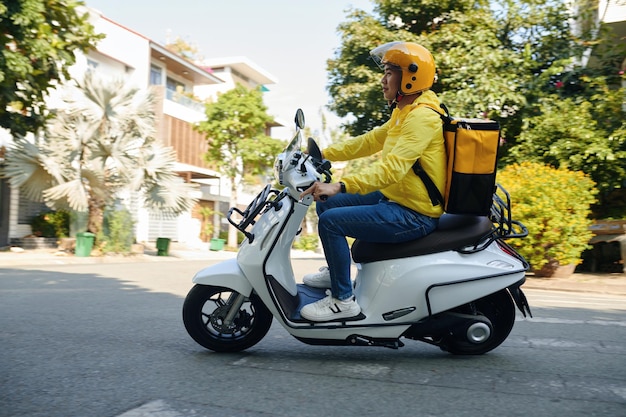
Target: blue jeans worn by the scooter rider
x=370, y=217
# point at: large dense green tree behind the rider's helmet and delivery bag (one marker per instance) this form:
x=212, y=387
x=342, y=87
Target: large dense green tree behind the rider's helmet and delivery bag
x=506, y=60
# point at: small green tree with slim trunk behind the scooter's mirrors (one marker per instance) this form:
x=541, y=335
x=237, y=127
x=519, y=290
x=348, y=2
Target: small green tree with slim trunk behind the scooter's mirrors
x=238, y=146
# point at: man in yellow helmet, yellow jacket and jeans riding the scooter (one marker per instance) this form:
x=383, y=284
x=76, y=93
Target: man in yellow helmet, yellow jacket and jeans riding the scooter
x=387, y=202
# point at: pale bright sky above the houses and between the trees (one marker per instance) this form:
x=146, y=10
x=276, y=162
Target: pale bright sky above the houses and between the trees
x=290, y=39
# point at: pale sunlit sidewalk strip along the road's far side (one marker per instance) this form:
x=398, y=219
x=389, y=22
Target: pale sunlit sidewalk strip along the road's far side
x=609, y=283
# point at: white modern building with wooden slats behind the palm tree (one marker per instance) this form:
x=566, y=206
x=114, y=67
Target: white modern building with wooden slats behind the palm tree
x=144, y=62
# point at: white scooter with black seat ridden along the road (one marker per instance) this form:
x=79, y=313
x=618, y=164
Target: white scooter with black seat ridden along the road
x=456, y=288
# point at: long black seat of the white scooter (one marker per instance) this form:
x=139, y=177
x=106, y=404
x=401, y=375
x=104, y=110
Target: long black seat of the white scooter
x=454, y=232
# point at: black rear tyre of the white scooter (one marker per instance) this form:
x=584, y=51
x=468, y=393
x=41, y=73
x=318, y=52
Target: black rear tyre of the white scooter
x=500, y=310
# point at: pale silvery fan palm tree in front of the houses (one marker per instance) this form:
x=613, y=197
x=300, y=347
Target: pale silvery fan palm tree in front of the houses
x=100, y=142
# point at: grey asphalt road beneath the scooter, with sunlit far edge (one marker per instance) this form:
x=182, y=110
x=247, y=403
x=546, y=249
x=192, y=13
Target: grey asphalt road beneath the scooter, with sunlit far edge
x=107, y=340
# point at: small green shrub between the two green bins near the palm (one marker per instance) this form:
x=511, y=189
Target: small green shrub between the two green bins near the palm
x=117, y=234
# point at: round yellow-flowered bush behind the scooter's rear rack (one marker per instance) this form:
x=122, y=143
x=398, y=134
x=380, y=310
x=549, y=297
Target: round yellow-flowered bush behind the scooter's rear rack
x=554, y=204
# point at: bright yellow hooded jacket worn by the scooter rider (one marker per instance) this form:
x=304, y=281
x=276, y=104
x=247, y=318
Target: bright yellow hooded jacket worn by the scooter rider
x=415, y=132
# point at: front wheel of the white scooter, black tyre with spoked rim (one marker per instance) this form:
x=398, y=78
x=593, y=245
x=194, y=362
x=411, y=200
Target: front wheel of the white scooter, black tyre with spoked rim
x=210, y=322
